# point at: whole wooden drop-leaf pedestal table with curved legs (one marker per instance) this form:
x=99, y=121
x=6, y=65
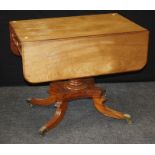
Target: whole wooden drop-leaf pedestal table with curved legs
x=70, y=51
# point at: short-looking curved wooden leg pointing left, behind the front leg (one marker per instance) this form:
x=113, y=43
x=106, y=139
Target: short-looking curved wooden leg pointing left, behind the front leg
x=42, y=102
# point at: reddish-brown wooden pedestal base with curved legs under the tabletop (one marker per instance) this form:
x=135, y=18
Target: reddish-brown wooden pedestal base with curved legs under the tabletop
x=61, y=92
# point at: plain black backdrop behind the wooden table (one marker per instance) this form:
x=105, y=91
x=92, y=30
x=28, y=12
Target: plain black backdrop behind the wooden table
x=11, y=66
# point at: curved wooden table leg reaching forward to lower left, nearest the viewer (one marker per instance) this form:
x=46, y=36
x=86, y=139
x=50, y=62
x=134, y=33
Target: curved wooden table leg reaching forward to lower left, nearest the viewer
x=58, y=116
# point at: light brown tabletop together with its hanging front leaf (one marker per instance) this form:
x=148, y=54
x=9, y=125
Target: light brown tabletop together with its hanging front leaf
x=99, y=45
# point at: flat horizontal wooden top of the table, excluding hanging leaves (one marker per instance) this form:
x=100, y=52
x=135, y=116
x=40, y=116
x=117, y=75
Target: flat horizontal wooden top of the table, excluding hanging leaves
x=70, y=27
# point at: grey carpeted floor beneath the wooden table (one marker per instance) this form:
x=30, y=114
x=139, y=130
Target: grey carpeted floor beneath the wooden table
x=82, y=123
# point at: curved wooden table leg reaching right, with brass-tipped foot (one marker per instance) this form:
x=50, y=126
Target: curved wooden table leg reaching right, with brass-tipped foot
x=105, y=110
